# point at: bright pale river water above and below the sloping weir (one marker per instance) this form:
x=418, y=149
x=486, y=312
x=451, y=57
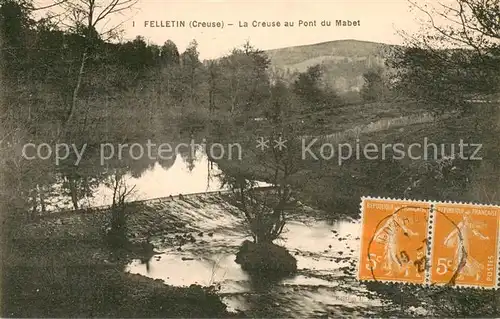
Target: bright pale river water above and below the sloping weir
x=325, y=284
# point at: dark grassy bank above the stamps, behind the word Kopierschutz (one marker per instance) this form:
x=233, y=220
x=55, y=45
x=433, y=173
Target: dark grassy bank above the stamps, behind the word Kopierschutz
x=336, y=189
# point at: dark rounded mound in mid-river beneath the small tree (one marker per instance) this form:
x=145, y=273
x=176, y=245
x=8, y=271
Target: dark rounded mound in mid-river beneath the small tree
x=265, y=258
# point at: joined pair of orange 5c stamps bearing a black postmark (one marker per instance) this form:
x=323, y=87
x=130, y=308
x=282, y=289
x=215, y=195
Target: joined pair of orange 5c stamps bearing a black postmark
x=431, y=243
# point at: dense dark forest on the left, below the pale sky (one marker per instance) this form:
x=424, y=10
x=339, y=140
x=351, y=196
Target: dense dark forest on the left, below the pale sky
x=66, y=77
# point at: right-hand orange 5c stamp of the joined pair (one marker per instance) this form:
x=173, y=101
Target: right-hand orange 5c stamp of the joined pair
x=465, y=245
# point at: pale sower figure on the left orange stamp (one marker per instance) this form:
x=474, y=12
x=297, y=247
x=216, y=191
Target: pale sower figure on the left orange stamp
x=391, y=228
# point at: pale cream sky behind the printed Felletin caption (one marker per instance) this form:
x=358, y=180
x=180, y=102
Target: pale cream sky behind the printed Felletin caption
x=379, y=22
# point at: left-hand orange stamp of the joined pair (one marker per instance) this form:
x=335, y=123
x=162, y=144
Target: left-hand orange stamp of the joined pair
x=394, y=240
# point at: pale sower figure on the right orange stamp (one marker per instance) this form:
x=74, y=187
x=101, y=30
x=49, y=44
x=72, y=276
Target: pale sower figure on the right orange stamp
x=467, y=229
